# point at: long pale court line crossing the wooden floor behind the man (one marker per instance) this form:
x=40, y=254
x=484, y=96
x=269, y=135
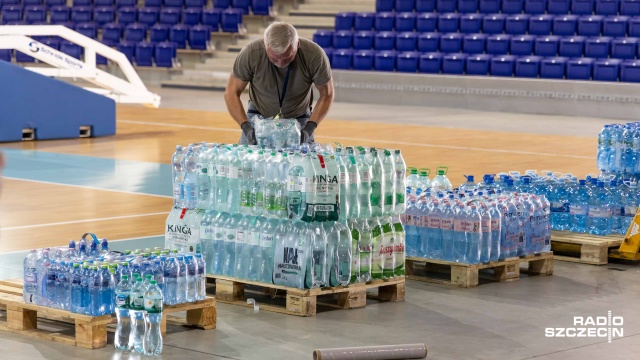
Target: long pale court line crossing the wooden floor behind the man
x=453, y=147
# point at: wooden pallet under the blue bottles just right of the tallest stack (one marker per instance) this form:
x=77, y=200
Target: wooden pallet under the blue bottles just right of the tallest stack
x=468, y=275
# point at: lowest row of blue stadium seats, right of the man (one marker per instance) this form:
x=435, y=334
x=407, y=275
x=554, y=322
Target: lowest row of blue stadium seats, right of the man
x=485, y=64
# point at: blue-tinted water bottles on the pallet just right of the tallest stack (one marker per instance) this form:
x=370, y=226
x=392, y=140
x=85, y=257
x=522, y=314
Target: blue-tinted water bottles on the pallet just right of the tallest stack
x=474, y=223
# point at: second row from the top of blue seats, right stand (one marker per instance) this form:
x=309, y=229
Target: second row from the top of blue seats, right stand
x=587, y=25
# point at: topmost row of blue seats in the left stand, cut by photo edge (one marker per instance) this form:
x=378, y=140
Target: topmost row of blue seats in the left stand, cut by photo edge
x=258, y=7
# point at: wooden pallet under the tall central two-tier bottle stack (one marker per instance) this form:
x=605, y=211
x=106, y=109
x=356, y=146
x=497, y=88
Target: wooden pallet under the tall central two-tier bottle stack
x=303, y=302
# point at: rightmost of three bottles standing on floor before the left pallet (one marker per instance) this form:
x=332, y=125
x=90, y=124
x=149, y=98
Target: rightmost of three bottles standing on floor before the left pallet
x=152, y=343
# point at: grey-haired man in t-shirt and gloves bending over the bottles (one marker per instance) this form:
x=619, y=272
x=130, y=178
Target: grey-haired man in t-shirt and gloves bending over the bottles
x=281, y=68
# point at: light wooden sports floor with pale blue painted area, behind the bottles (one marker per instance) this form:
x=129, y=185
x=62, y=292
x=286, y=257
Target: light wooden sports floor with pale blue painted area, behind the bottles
x=43, y=205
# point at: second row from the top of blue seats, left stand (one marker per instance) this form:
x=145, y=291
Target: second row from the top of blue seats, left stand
x=229, y=20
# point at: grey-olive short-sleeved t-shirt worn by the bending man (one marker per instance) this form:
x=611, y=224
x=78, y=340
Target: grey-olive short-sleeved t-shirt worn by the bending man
x=310, y=65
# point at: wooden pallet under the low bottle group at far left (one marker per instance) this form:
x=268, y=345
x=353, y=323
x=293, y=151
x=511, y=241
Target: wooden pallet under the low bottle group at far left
x=90, y=331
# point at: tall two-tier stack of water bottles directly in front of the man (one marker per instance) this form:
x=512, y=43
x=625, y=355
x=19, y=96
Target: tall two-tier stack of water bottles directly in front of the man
x=307, y=216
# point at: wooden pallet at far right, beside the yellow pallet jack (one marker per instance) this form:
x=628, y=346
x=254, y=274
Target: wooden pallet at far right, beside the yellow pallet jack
x=583, y=248
